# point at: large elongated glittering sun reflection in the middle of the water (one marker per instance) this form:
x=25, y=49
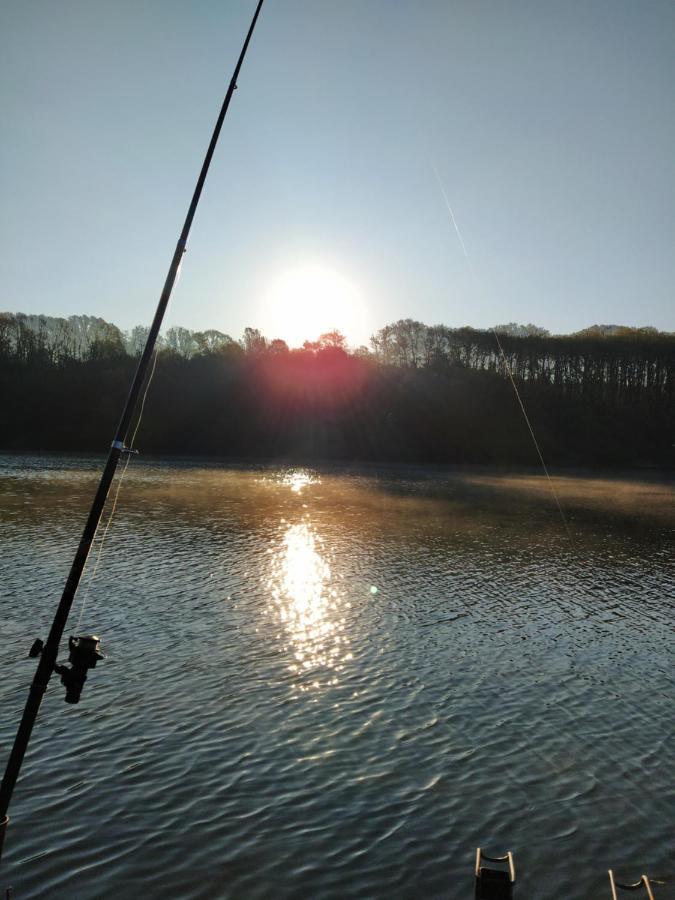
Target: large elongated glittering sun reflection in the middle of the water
x=309, y=606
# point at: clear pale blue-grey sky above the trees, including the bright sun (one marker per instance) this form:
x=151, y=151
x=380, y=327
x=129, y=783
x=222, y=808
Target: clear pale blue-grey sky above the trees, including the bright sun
x=550, y=123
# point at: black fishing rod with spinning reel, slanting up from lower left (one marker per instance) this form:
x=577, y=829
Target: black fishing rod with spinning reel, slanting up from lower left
x=85, y=650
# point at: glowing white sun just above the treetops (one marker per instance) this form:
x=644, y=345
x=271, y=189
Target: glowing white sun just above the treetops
x=306, y=301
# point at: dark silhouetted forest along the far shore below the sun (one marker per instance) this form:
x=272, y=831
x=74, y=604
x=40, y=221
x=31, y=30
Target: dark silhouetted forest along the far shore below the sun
x=604, y=396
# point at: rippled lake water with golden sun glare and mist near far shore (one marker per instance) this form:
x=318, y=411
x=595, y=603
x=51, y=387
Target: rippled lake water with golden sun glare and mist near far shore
x=339, y=683
